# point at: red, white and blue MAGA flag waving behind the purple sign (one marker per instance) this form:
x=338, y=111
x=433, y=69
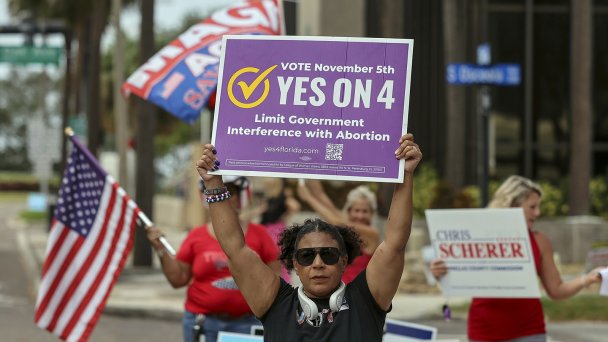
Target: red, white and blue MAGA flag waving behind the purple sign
x=181, y=76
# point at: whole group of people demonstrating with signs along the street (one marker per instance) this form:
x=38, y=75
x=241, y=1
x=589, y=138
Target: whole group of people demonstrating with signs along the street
x=331, y=277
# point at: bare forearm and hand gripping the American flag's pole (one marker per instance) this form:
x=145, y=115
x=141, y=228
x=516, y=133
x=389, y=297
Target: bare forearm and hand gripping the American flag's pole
x=177, y=273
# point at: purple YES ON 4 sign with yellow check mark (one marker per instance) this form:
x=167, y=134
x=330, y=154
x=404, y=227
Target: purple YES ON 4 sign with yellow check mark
x=312, y=107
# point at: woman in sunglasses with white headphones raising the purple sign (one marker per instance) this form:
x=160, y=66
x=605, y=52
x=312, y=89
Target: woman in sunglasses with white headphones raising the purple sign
x=323, y=308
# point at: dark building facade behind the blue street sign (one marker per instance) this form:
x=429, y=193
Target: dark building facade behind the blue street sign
x=525, y=129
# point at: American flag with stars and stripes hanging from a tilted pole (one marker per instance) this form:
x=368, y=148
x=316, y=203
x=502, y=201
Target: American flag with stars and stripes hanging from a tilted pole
x=90, y=238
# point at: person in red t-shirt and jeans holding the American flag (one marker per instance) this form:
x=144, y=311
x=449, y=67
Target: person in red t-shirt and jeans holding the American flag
x=201, y=265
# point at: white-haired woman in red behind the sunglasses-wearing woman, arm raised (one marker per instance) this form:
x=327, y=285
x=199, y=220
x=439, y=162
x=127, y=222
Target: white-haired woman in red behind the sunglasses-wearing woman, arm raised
x=357, y=213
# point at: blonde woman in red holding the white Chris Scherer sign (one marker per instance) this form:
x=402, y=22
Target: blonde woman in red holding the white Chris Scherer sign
x=520, y=319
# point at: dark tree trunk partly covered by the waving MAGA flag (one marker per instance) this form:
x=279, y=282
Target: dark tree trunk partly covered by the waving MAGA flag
x=146, y=118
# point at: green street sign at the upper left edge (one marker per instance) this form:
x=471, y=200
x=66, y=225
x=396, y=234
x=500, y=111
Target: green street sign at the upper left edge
x=30, y=54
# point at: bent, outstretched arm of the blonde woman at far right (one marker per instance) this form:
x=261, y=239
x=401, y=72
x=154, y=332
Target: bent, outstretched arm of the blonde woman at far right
x=549, y=275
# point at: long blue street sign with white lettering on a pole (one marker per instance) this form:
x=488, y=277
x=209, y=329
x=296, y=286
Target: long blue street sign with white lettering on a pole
x=498, y=74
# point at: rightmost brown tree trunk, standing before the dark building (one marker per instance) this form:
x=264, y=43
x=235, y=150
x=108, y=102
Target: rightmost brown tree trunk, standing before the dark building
x=580, y=103
